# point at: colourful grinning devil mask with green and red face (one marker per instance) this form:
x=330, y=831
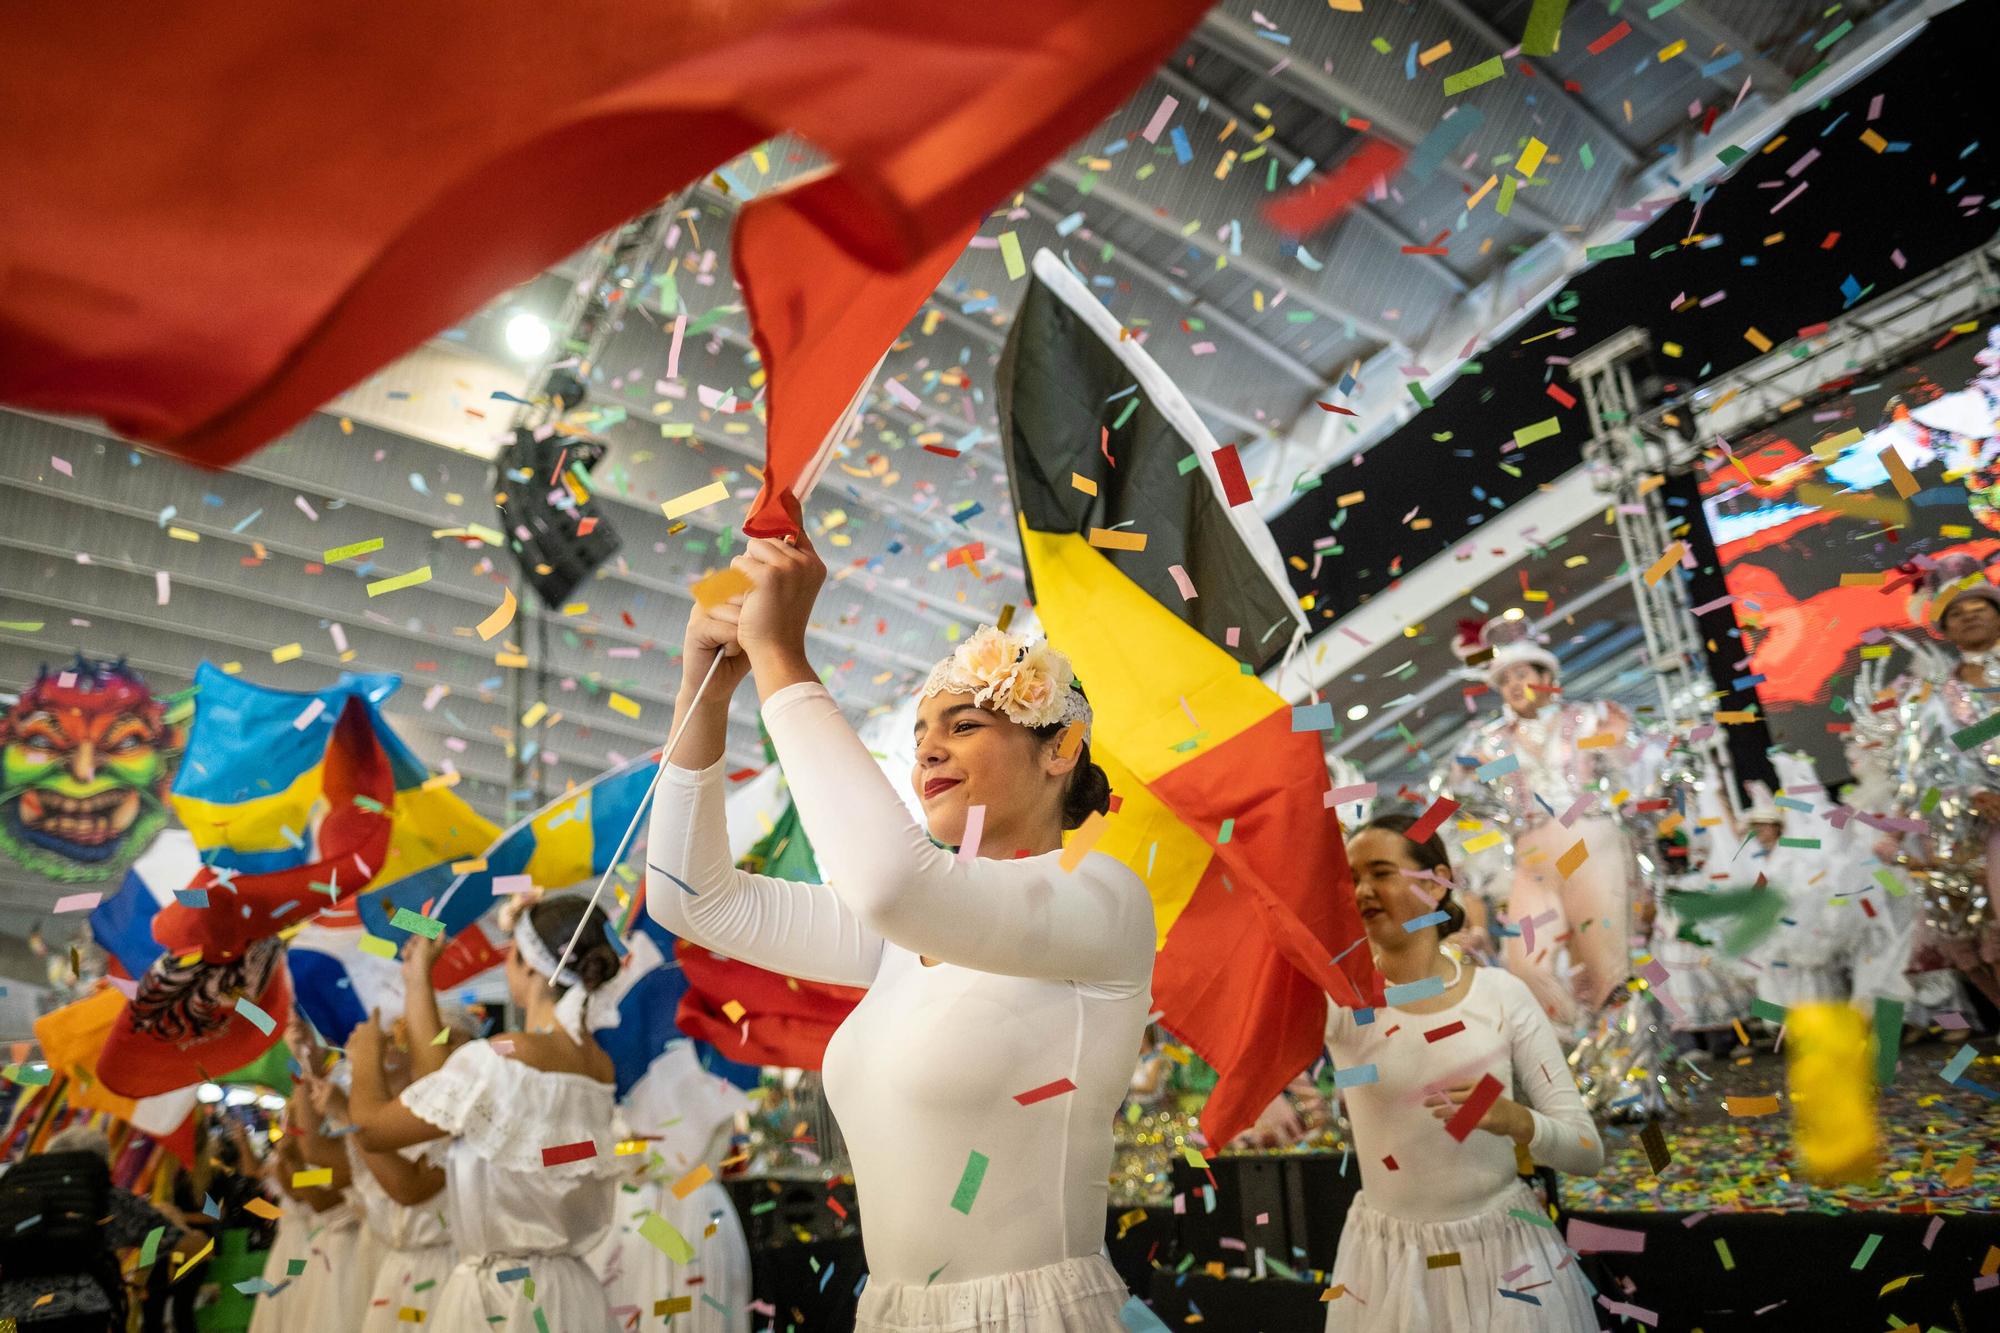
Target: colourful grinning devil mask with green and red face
x=85, y=764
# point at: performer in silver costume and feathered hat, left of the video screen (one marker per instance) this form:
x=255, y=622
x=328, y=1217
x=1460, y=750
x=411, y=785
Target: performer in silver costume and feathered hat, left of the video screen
x=1545, y=776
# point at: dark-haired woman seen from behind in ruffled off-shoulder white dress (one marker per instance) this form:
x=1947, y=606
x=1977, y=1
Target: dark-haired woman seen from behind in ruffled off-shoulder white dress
x=525, y=1130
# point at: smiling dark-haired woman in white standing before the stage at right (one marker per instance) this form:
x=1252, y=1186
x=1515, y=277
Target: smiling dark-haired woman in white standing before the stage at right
x=1425, y=1192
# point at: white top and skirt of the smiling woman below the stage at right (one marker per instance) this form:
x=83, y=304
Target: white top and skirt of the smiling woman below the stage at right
x=1427, y=1196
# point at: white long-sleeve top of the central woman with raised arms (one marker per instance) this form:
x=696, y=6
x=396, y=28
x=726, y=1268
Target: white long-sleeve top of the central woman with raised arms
x=1043, y=976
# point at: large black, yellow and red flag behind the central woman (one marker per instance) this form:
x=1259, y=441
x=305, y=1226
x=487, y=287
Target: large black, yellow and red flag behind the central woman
x=1169, y=601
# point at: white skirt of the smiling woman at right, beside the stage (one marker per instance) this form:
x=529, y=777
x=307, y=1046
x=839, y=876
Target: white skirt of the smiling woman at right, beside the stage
x=1387, y=1284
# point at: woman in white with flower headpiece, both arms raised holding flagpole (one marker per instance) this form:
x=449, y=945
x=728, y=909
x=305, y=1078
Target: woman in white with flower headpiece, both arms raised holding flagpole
x=1007, y=984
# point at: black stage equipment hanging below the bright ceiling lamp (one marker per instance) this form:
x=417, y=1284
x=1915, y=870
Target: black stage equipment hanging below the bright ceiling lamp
x=555, y=537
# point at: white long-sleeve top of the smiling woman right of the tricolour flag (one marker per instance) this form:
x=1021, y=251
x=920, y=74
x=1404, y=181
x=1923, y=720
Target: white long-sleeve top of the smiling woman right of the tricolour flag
x=1505, y=1036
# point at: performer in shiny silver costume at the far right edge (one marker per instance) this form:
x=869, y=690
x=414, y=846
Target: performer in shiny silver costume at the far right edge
x=1957, y=860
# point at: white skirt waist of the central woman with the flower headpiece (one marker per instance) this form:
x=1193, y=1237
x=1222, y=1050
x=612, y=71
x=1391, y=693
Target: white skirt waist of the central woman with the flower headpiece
x=1077, y=1296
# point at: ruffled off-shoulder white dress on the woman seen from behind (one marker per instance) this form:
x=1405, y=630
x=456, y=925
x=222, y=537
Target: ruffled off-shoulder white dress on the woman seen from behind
x=521, y=1226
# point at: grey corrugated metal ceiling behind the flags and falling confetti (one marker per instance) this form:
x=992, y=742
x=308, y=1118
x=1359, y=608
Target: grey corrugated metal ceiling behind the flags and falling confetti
x=1251, y=325
